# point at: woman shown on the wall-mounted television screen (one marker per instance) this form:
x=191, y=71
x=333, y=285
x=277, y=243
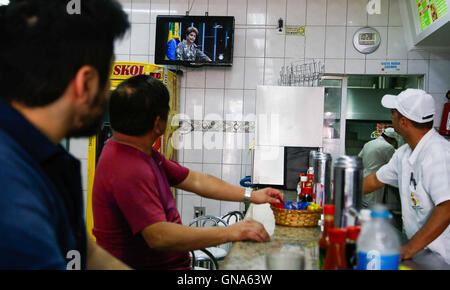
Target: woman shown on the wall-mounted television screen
x=187, y=50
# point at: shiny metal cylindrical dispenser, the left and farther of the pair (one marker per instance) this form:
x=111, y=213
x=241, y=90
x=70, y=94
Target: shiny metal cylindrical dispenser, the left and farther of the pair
x=322, y=177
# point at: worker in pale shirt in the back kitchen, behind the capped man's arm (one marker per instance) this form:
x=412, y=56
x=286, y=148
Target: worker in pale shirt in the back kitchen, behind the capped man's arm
x=375, y=154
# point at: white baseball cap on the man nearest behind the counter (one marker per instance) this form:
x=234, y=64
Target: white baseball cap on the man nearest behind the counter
x=414, y=104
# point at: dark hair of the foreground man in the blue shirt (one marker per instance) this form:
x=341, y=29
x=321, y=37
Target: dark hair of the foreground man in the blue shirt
x=43, y=46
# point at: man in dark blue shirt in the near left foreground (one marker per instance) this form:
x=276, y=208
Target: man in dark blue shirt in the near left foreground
x=54, y=69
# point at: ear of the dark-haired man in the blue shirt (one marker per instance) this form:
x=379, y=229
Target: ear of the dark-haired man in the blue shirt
x=85, y=84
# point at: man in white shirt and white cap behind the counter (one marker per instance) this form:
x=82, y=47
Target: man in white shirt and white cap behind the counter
x=421, y=170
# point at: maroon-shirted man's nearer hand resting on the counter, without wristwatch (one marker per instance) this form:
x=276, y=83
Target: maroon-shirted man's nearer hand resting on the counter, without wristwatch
x=248, y=229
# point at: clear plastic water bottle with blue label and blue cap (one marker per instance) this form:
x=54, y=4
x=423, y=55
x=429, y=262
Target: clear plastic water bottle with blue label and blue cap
x=378, y=245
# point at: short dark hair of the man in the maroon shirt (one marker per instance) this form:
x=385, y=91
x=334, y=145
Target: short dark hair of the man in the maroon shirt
x=135, y=104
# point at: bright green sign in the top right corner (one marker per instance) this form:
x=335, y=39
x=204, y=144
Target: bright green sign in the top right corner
x=429, y=11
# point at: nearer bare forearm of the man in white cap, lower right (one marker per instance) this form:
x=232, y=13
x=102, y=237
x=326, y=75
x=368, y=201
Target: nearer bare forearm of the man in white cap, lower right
x=433, y=228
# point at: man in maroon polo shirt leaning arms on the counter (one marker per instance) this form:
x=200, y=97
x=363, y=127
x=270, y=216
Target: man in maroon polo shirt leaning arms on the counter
x=135, y=215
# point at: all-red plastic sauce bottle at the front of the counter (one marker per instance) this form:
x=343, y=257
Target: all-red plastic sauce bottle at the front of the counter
x=335, y=259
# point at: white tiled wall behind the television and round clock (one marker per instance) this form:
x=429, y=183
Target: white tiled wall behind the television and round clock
x=259, y=53
